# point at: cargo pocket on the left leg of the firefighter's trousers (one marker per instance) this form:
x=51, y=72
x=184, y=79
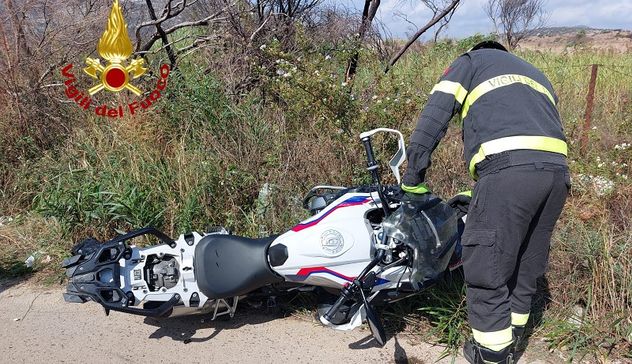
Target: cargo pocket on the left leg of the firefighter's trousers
x=480, y=258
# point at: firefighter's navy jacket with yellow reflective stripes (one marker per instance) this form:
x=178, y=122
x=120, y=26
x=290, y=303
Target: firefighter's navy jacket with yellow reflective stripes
x=504, y=102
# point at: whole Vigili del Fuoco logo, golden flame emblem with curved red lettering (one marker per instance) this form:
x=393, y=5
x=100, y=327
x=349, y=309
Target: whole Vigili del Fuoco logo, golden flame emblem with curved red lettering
x=117, y=74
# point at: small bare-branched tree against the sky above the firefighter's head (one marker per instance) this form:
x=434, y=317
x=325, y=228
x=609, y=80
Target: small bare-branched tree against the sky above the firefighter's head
x=515, y=18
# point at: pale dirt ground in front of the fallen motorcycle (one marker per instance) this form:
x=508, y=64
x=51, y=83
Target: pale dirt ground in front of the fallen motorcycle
x=37, y=326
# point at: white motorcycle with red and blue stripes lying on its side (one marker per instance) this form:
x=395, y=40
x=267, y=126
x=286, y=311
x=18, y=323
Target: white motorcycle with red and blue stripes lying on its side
x=366, y=244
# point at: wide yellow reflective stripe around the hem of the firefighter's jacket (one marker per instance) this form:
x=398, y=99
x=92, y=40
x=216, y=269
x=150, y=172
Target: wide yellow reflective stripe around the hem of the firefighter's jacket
x=542, y=143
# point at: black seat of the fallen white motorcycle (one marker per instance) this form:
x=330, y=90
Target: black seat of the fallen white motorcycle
x=227, y=265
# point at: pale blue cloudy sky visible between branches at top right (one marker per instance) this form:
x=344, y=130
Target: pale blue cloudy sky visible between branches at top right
x=470, y=17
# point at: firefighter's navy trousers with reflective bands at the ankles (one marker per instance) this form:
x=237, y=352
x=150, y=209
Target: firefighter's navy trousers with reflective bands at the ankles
x=506, y=243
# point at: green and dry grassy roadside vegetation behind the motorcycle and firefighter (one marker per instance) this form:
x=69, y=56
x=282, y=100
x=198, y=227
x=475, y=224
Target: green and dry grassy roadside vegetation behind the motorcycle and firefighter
x=217, y=152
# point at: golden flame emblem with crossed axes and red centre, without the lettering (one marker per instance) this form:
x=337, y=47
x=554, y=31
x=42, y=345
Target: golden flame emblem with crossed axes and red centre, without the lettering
x=115, y=46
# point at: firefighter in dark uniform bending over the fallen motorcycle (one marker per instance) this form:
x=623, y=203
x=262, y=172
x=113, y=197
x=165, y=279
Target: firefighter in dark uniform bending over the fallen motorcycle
x=515, y=149
